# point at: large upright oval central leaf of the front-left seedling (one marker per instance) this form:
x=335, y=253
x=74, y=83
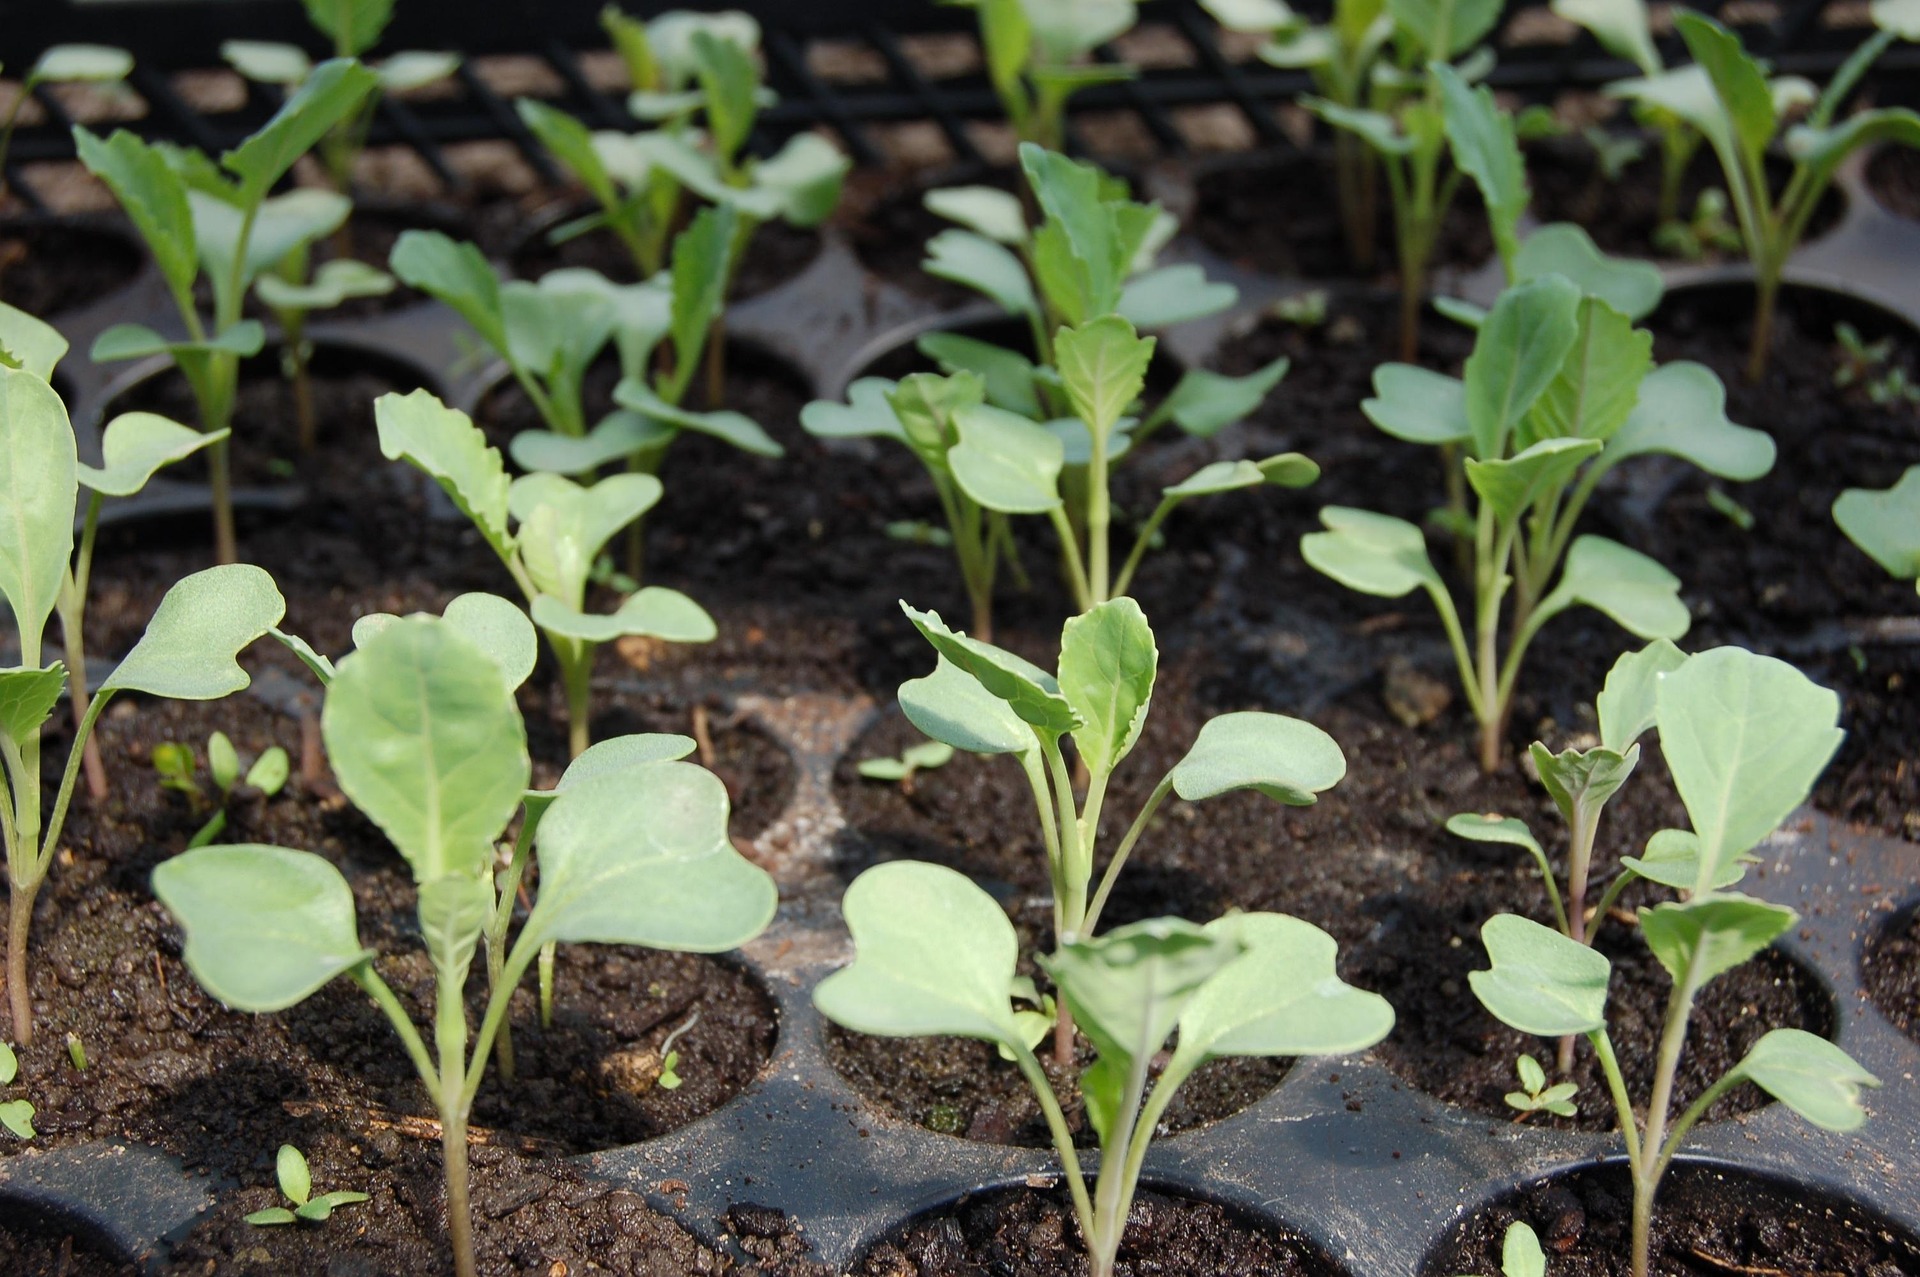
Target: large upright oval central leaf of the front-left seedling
x=427, y=740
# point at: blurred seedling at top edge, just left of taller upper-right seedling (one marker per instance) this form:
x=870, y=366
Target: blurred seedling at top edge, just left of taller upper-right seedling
x=1341, y=57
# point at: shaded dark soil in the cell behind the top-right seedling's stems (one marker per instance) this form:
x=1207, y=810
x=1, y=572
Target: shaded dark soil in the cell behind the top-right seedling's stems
x=1623, y=214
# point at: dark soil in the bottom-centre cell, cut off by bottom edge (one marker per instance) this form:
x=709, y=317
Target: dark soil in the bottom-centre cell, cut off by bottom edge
x=1036, y=1236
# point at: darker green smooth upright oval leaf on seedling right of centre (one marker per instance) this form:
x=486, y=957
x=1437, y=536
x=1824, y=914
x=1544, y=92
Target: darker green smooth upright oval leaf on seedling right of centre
x=1516, y=358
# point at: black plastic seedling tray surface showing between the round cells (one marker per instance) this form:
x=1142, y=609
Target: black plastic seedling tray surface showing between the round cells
x=1343, y=1151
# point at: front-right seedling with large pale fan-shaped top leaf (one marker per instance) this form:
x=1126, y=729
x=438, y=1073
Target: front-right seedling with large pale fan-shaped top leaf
x=1744, y=740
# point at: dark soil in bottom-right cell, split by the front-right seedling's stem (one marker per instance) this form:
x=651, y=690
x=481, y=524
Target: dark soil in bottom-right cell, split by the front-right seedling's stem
x=1706, y=1224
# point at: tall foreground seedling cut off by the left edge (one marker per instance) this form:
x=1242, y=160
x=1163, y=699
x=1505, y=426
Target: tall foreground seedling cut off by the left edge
x=187, y=652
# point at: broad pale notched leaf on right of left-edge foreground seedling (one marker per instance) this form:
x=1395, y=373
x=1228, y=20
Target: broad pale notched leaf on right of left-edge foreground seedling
x=191, y=646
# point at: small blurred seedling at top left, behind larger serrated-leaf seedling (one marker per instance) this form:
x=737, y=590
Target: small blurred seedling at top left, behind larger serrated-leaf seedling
x=352, y=28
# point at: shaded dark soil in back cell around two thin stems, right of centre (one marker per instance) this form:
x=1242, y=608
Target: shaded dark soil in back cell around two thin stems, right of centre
x=1280, y=214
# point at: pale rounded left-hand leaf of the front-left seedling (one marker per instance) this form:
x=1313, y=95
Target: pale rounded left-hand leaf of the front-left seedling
x=266, y=927
